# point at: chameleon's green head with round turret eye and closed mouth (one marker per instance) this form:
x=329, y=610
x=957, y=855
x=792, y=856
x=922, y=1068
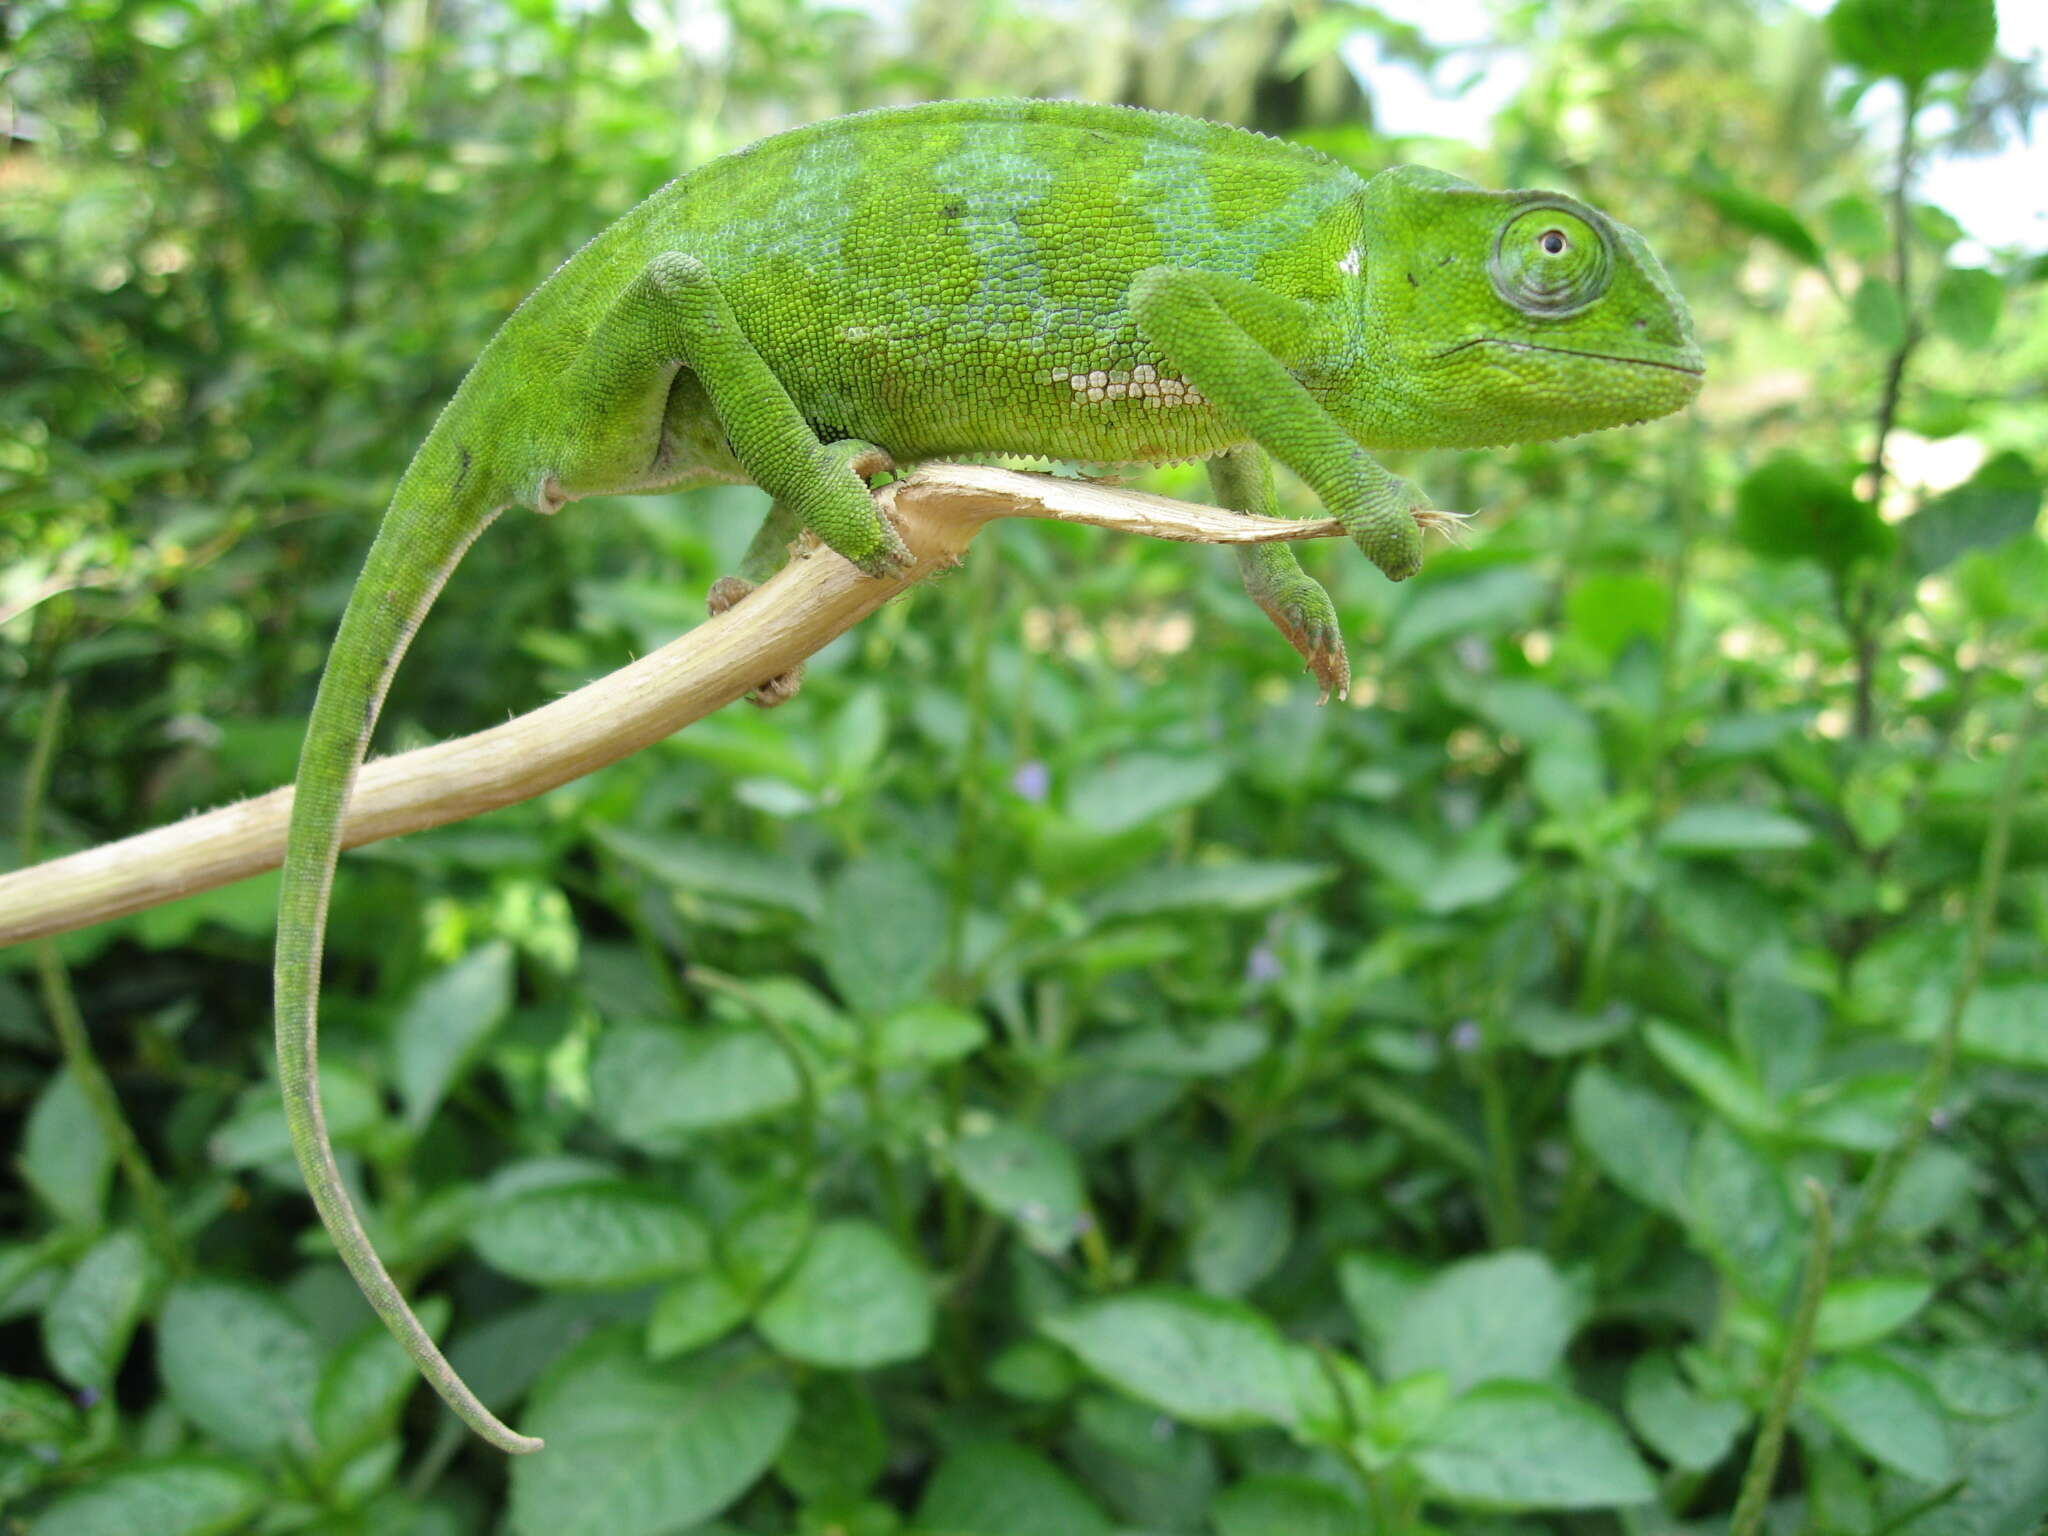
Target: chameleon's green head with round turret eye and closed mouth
x=1517, y=316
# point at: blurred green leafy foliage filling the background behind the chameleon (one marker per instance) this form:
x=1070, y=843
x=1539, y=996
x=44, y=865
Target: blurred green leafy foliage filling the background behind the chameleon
x=1052, y=1078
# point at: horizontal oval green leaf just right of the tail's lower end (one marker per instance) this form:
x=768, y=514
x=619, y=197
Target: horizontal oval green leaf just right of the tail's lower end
x=591, y=1236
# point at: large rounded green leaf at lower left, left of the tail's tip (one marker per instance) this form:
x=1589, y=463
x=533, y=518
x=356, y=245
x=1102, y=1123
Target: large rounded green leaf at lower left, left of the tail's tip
x=239, y=1365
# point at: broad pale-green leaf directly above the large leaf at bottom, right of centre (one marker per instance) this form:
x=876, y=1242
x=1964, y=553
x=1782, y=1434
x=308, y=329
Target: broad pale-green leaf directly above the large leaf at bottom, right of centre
x=1494, y=1318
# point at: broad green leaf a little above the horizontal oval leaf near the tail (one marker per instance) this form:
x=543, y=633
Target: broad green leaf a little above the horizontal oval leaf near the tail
x=660, y=1084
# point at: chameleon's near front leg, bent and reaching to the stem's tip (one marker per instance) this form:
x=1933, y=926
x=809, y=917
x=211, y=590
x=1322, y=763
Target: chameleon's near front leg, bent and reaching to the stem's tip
x=1228, y=339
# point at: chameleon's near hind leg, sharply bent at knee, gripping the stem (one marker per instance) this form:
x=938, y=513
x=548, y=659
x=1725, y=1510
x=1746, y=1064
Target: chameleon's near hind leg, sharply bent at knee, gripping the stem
x=673, y=316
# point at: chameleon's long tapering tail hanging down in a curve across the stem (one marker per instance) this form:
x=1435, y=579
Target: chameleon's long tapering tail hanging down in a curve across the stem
x=419, y=546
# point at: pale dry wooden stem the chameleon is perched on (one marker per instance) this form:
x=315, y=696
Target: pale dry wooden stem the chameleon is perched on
x=800, y=611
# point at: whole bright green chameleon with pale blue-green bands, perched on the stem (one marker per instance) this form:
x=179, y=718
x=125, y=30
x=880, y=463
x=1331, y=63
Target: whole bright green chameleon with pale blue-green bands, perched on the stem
x=1009, y=278
